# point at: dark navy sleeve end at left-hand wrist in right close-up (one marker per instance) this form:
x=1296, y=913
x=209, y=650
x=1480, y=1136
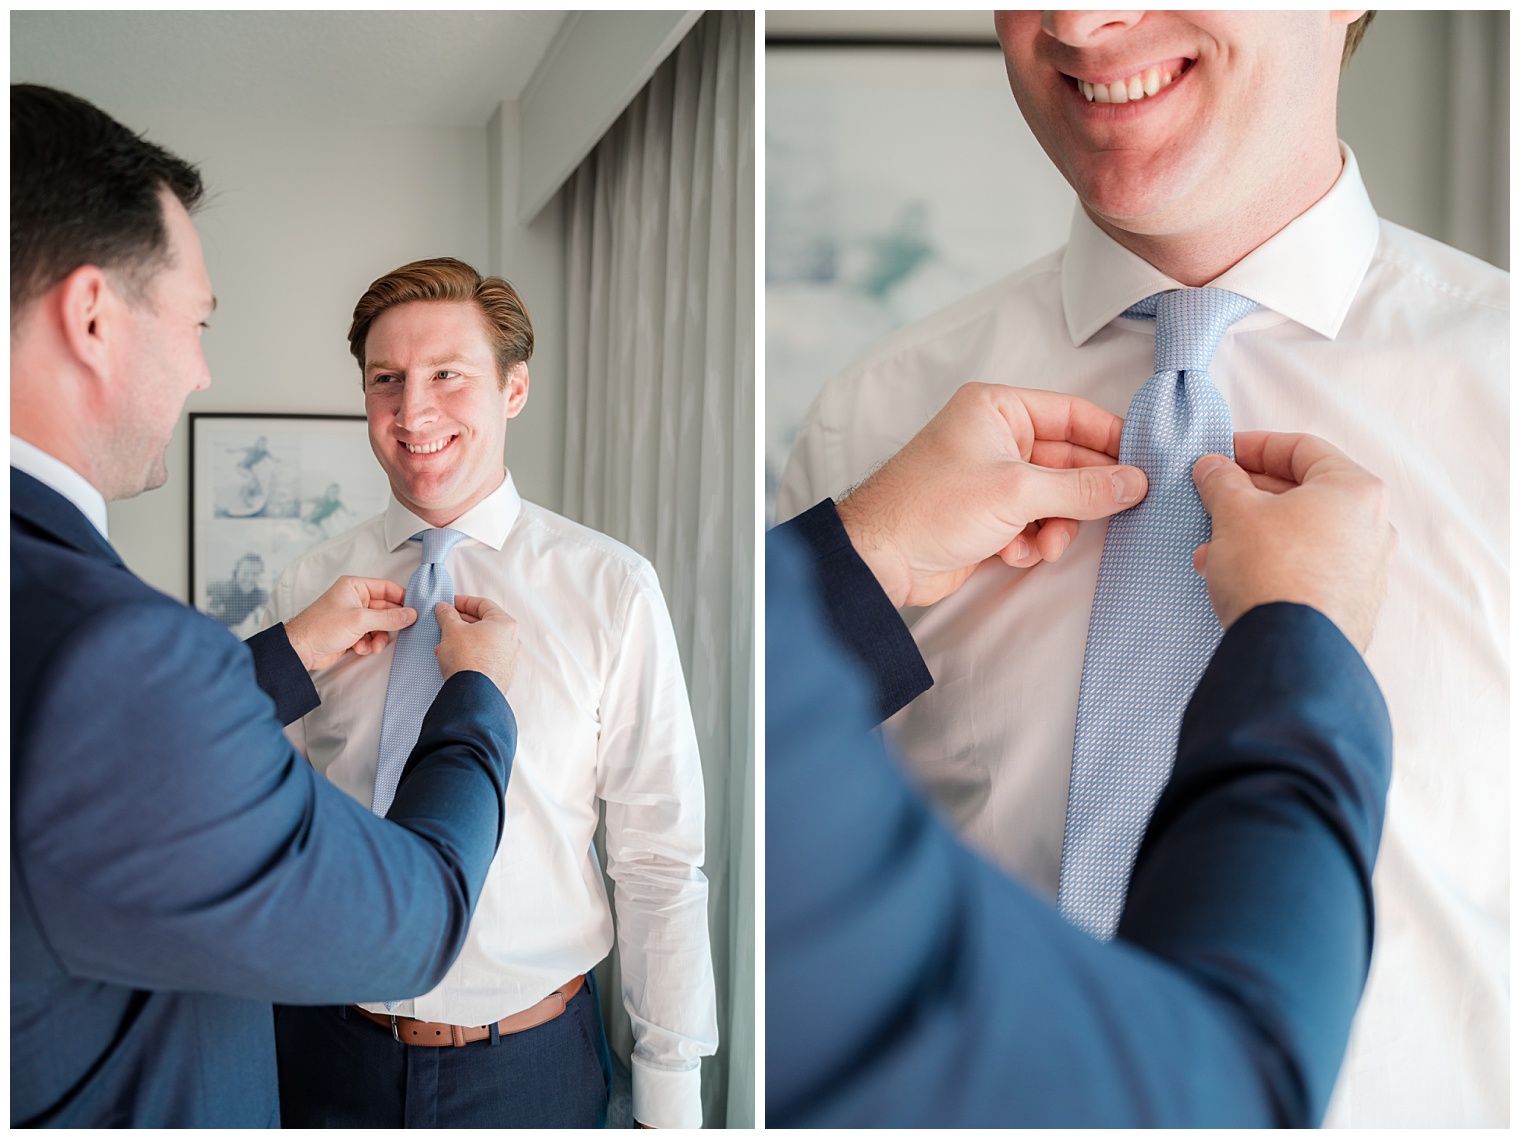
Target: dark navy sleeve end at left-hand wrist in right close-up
x=860, y=614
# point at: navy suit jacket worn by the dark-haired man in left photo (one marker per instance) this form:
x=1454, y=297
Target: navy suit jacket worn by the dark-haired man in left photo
x=177, y=866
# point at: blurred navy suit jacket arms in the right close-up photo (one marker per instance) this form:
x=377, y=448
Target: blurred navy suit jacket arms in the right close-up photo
x=911, y=983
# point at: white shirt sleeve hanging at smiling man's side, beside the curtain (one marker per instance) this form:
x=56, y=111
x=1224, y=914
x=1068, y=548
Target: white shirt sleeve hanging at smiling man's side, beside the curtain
x=650, y=775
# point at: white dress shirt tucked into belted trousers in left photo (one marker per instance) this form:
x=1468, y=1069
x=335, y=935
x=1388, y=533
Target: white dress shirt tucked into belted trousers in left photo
x=603, y=714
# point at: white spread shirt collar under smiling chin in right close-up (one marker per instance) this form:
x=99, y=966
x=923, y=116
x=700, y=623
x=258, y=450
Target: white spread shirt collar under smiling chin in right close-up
x=1309, y=271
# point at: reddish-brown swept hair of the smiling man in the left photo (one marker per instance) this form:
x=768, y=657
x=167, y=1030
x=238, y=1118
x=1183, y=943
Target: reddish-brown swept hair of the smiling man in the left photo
x=448, y=279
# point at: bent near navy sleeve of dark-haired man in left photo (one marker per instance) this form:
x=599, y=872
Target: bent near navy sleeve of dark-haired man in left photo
x=176, y=840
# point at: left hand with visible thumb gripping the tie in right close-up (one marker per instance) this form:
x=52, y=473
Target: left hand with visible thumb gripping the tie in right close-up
x=999, y=471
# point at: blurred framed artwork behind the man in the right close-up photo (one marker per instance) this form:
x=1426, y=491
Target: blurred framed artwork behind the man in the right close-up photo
x=899, y=180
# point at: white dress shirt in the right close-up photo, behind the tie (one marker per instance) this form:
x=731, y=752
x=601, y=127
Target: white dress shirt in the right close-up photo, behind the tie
x=1395, y=349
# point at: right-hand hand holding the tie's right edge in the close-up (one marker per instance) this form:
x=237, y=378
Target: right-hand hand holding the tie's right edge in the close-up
x=1296, y=521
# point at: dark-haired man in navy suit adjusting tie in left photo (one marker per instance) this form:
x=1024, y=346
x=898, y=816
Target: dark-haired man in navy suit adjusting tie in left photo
x=176, y=866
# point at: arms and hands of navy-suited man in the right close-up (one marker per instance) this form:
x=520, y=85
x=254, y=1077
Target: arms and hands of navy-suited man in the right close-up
x=908, y=980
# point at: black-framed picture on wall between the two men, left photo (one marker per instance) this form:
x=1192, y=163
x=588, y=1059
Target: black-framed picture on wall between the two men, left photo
x=264, y=490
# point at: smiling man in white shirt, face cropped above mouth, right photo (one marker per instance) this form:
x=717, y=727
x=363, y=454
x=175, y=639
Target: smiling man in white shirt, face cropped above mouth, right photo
x=1203, y=151
